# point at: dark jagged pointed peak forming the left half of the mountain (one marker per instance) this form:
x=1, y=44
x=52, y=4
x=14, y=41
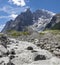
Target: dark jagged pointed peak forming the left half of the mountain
x=22, y=20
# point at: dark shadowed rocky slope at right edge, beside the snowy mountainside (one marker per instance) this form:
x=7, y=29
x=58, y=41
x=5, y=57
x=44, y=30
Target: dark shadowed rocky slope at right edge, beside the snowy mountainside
x=55, y=22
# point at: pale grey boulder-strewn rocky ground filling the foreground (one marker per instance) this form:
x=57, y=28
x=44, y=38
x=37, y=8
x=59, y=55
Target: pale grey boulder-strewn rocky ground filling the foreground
x=42, y=50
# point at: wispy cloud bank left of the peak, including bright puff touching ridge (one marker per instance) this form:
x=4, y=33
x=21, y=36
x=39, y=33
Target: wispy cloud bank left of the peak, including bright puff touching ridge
x=11, y=12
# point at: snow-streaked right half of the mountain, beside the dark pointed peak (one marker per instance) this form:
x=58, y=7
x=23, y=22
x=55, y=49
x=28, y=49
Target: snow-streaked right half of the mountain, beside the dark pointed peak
x=41, y=19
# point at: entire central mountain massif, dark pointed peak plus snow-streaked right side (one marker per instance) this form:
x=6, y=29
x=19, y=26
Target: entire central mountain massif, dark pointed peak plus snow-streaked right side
x=36, y=20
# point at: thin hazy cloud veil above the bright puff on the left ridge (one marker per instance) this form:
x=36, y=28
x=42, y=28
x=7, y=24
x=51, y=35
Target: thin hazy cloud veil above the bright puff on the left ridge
x=12, y=10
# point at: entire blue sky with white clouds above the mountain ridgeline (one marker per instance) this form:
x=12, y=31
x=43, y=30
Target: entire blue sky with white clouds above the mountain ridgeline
x=9, y=9
